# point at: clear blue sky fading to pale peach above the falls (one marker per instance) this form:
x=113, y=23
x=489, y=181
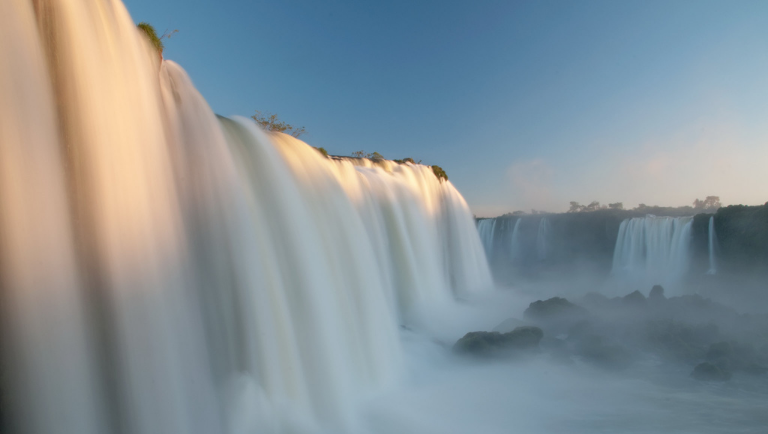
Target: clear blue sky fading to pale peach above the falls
x=525, y=104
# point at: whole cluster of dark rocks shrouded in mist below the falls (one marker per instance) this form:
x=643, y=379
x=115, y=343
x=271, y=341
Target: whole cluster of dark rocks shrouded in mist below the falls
x=690, y=334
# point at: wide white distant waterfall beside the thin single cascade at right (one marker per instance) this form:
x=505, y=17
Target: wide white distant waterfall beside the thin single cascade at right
x=652, y=249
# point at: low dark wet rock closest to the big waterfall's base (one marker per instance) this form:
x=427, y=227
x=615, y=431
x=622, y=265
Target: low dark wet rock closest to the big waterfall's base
x=520, y=340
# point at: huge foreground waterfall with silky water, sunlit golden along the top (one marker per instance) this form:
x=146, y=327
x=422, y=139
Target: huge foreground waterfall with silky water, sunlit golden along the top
x=165, y=270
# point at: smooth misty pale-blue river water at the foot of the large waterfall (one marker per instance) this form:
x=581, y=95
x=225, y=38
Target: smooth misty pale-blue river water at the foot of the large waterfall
x=445, y=393
